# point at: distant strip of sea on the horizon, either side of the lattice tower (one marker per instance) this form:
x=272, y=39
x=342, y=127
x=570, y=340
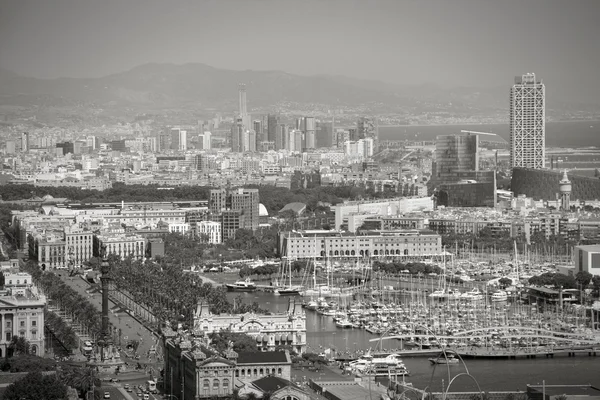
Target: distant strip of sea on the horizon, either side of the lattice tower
x=558, y=134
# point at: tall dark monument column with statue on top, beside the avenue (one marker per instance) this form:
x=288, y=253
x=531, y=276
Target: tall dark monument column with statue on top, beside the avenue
x=108, y=359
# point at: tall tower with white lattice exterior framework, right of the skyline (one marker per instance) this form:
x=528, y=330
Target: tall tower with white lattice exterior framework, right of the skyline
x=528, y=122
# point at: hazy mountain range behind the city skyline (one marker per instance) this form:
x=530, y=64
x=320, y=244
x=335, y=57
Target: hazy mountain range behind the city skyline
x=153, y=86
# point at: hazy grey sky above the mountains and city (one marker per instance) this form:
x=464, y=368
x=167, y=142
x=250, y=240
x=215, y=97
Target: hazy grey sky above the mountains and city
x=453, y=42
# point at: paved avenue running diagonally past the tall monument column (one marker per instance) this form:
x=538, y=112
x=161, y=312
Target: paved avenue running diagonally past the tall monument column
x=130, y=328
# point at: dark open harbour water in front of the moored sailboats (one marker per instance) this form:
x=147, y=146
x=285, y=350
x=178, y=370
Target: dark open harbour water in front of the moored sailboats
x=492, y=375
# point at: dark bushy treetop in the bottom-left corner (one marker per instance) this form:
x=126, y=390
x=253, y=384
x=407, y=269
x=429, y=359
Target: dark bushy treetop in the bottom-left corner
x=36, y=386
